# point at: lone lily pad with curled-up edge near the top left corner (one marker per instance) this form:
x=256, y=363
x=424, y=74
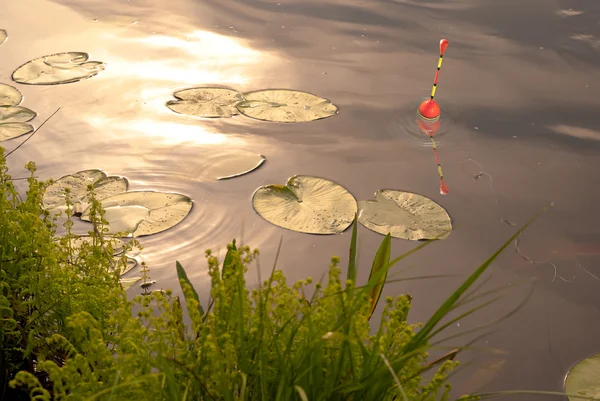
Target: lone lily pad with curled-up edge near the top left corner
x=60, y=68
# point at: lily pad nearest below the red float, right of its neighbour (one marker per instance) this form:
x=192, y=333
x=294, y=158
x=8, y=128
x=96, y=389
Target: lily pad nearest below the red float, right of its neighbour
x=404, y=215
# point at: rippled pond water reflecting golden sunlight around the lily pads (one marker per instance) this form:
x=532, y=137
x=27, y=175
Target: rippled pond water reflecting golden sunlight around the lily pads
x=519, y=97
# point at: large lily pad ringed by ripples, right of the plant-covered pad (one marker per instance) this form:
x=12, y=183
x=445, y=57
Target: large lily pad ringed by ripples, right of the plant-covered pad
x=143, y=212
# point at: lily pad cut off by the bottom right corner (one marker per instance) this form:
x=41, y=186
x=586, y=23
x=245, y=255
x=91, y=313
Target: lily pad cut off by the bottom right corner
x=584, y=379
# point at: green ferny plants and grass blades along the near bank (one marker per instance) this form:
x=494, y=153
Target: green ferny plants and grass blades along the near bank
x=68, y=330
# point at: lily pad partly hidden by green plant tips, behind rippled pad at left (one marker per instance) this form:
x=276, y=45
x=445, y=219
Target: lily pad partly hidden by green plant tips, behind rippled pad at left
x=104, y=186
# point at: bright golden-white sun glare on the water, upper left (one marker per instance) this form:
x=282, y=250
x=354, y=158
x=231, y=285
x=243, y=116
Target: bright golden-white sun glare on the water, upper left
x=147, y=70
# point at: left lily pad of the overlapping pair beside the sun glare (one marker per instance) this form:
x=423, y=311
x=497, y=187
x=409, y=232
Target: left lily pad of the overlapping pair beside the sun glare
x=206, y=102
